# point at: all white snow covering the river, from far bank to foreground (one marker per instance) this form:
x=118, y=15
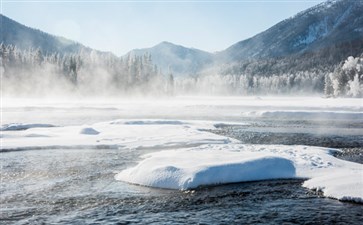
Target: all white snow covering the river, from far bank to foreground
x=182, y=153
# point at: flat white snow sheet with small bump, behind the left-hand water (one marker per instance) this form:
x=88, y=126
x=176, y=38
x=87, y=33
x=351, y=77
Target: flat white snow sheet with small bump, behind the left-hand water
x=126, y=134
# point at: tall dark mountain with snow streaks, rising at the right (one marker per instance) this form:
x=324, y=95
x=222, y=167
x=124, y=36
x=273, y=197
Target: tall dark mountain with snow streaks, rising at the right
x=332, y=23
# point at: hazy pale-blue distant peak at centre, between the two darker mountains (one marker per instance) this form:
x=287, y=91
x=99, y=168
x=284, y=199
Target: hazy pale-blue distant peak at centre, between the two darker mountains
x=180, y=60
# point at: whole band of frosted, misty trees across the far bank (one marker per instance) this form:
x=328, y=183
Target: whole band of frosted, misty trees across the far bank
x=95, y=73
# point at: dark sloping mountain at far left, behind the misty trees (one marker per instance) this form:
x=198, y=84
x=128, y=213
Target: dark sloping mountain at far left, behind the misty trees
x=23, y=37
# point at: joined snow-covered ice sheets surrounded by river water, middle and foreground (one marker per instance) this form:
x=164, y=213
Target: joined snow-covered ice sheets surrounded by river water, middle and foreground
x=185, y=156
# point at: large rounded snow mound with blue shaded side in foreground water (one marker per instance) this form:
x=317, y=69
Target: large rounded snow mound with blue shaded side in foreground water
x=188, y=169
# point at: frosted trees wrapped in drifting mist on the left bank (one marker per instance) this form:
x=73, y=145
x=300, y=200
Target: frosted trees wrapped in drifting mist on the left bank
x=32, y=72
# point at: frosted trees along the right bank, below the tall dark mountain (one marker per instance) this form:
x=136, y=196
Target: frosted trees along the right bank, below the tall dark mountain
x=342, y=80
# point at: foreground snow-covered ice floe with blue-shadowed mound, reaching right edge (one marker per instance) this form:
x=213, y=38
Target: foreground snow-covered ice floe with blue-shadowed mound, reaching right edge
x=221, y=164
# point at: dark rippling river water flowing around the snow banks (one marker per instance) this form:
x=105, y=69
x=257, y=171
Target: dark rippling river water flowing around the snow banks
x=64, y=186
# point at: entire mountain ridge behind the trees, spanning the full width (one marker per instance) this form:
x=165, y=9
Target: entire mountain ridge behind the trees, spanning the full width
x=328, y=27
